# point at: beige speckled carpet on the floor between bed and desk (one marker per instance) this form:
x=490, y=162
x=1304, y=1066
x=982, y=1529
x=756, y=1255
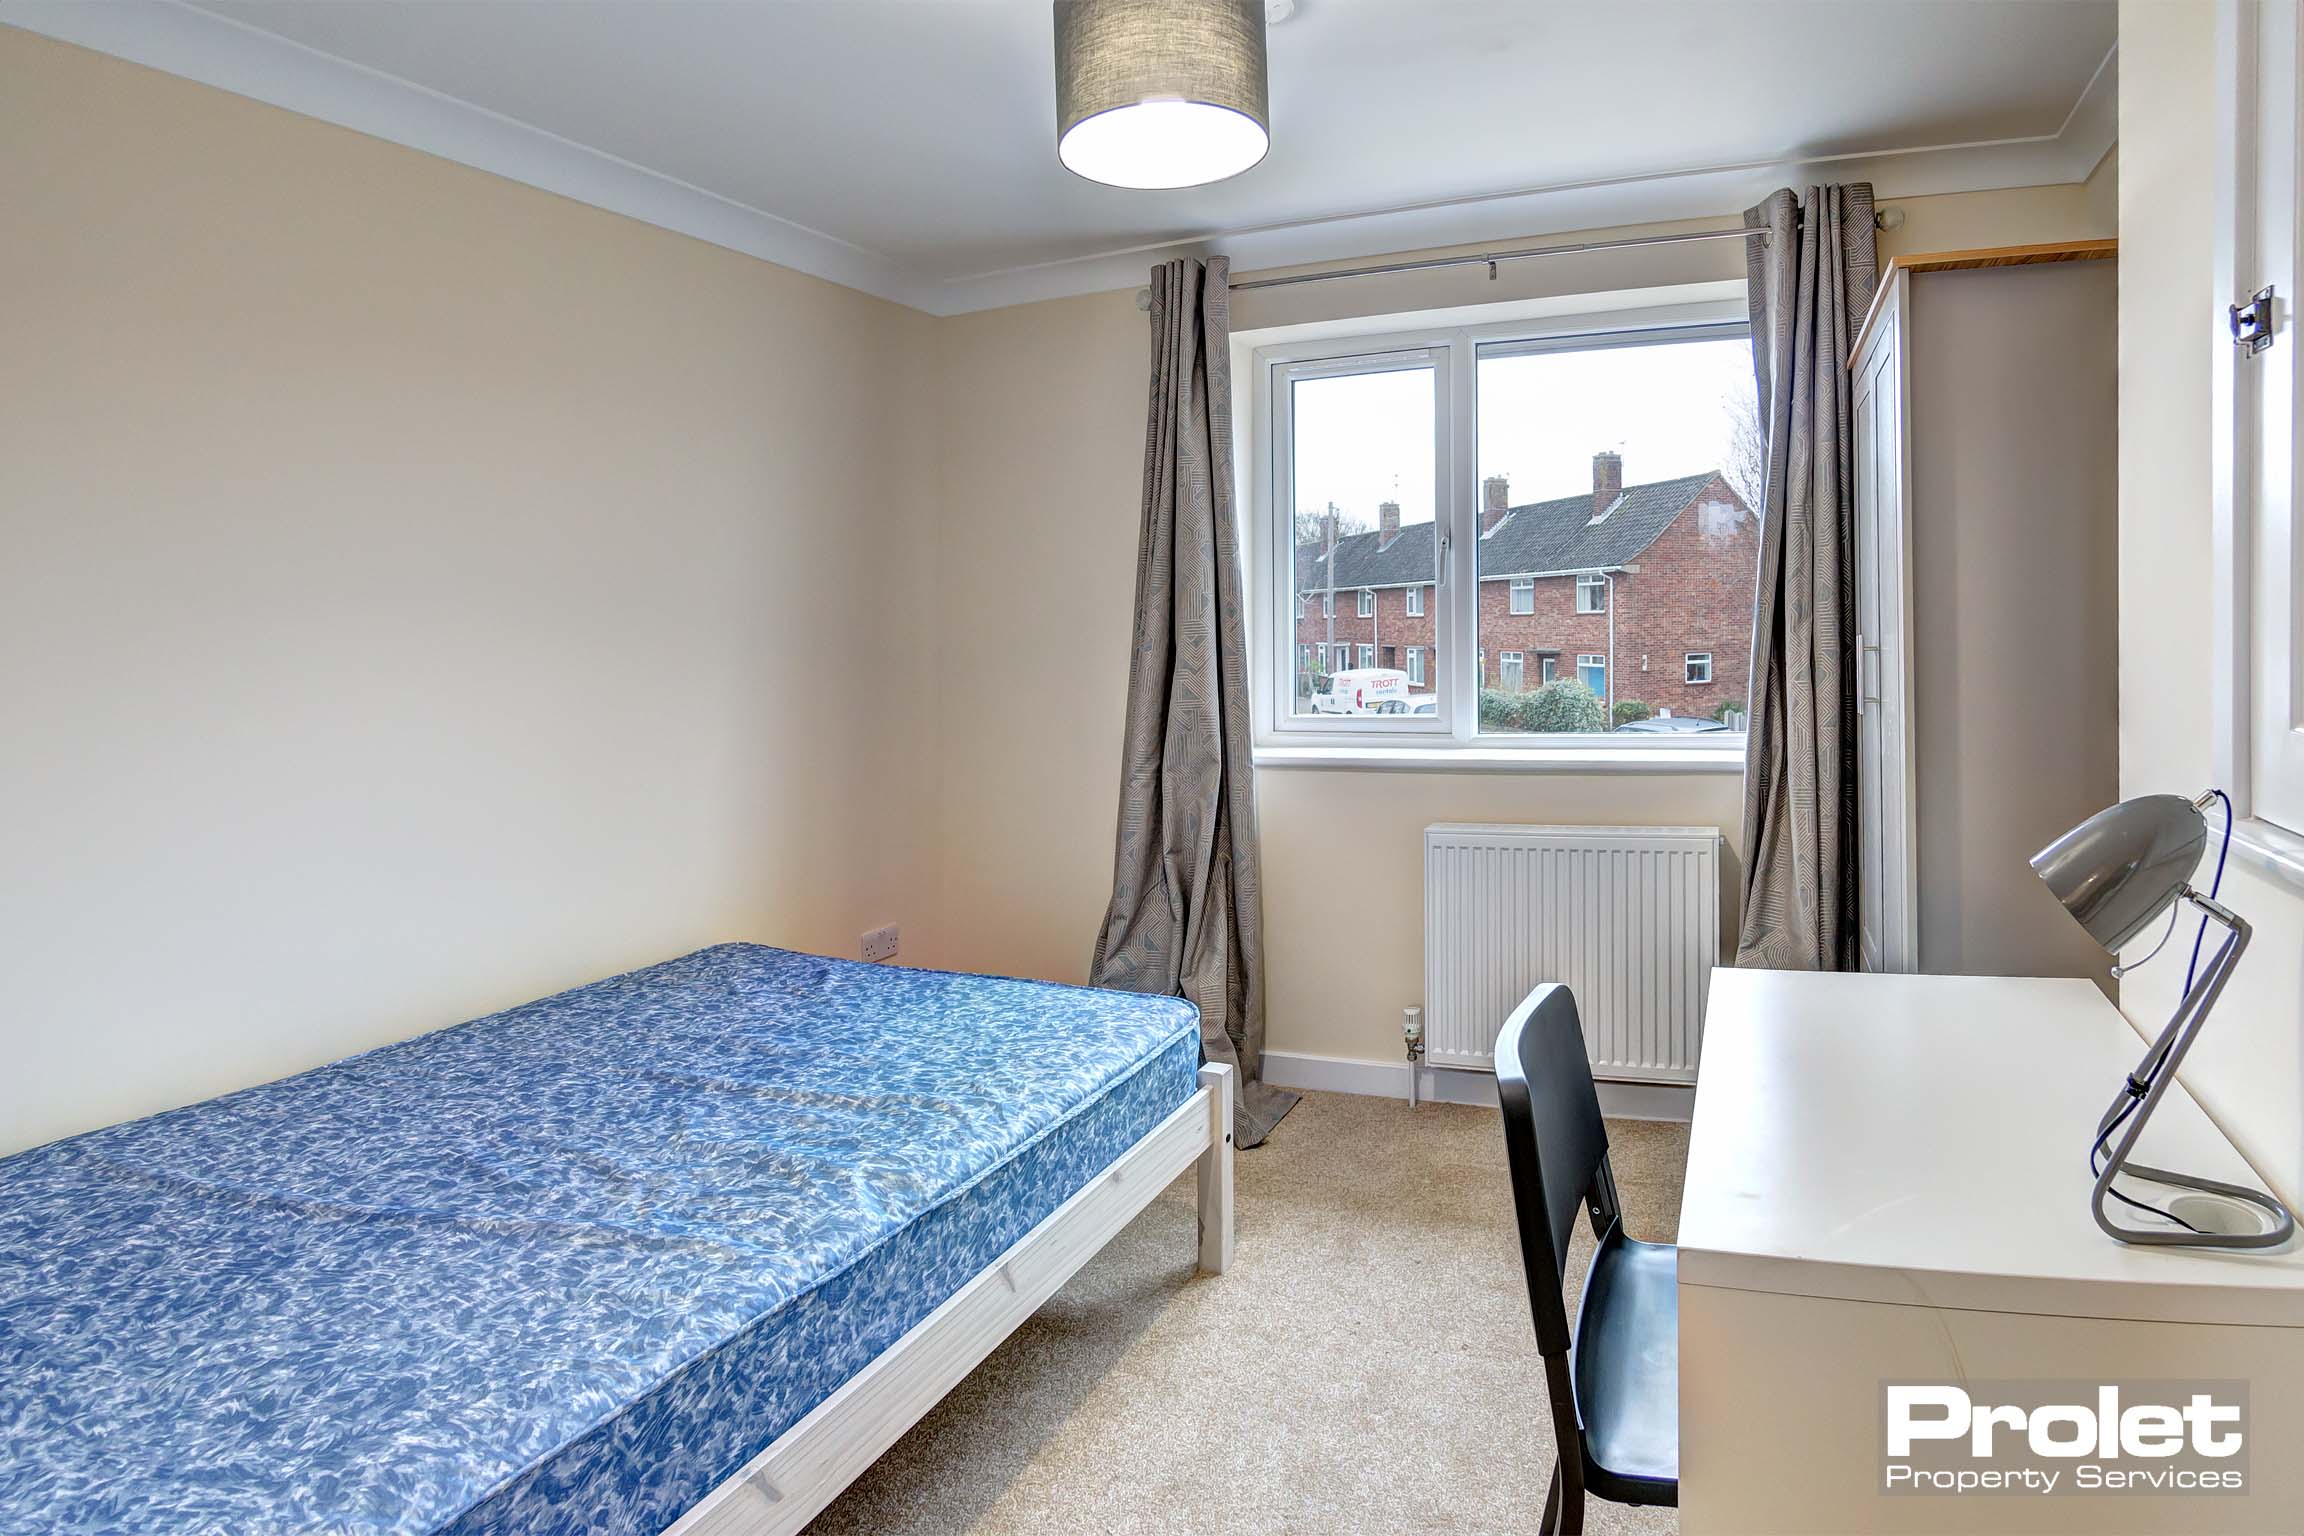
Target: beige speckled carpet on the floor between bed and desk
x=1365, y=1367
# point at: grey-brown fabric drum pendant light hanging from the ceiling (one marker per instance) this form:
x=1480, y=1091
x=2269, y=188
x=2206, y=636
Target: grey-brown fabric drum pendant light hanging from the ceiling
x=1160, y=93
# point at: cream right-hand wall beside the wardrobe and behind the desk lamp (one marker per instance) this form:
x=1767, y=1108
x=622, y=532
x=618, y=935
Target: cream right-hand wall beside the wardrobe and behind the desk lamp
x=2248, y=1067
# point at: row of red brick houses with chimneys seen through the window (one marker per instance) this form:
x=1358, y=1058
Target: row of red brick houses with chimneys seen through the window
x=1644, y=593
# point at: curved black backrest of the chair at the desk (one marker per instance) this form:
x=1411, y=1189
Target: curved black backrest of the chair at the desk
x=1556, y=1146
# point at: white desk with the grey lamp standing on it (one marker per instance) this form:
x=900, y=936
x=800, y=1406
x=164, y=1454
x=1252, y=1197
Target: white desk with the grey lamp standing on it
x=1888, y=1180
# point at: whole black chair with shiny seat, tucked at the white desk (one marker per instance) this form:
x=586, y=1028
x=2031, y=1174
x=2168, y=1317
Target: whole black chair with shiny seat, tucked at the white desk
x=1616, y=1378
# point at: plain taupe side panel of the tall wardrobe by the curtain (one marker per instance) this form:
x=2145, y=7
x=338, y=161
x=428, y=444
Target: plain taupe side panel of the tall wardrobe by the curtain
x=2015, y=602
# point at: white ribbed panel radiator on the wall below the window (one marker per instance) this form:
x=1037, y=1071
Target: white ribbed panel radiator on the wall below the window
x=1625, y=915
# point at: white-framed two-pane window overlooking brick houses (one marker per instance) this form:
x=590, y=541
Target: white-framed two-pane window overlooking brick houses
x=1589, y=457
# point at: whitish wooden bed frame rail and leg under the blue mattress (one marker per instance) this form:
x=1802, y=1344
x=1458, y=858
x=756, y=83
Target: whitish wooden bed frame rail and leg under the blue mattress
x=805, y=1468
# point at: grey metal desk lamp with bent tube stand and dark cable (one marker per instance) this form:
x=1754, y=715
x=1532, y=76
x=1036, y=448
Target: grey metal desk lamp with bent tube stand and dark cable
x=2116, y=874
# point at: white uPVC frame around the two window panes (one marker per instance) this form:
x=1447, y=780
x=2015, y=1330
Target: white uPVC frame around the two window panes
x=1450, y=736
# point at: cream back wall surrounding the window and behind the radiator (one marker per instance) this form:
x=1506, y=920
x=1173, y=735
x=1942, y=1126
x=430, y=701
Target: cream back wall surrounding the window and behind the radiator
x=1043, y=462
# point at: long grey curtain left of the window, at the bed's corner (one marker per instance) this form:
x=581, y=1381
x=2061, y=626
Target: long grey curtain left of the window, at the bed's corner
x=1188, y=897
